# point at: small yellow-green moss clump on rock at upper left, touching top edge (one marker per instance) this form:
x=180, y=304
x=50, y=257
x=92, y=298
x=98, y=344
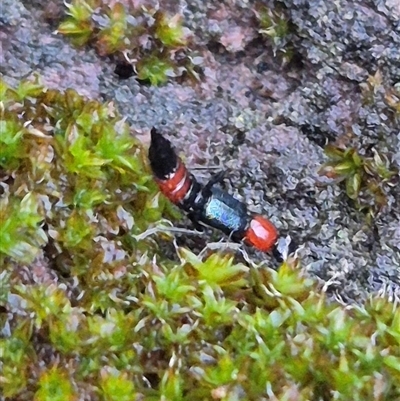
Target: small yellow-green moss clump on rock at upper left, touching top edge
x=155, y=43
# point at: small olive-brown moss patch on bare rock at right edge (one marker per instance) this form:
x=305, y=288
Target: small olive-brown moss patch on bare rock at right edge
x=364, y=166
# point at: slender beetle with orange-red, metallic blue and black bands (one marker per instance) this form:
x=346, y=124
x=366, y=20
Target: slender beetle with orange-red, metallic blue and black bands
x=208, y=204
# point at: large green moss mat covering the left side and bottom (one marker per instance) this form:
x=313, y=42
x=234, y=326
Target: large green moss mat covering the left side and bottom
x=94, y=312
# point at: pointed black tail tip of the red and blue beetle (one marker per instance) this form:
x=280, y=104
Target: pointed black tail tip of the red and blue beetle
x=163, y=159
